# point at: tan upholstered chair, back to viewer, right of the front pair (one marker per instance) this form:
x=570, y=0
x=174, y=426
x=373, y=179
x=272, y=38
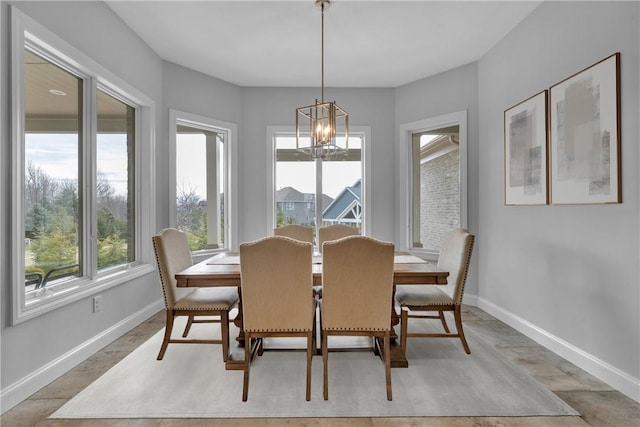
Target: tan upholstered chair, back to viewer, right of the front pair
x=357, y=281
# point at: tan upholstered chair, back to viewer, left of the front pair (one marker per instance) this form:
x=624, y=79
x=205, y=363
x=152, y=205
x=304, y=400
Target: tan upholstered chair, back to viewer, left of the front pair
x=277, y=295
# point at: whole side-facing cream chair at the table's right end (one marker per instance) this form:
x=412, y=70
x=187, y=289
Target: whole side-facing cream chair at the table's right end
x=455, y=256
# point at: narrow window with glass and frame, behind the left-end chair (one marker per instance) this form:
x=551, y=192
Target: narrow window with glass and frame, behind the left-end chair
x=204, y=204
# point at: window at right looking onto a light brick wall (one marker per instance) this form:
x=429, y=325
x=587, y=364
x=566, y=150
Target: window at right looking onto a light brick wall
x=434, y=187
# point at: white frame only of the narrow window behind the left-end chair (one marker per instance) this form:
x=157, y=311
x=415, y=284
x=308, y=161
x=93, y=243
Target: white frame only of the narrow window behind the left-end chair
x=231, y=171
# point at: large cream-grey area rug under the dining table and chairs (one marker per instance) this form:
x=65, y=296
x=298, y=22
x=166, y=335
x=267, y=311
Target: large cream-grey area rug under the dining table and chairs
x=191, y=382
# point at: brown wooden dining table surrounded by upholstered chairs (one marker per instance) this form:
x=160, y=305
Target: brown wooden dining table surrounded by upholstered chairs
x=223, y=269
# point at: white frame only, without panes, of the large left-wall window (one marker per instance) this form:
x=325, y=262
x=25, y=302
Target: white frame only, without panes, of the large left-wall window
x=26, y=32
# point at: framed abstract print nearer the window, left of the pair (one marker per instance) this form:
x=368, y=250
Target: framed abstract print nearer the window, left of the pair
x=526, y=152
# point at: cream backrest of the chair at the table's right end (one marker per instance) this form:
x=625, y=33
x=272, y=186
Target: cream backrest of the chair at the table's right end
x=455, y=256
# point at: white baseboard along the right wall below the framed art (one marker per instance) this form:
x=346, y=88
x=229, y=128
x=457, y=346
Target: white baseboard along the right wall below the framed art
x=607, y=373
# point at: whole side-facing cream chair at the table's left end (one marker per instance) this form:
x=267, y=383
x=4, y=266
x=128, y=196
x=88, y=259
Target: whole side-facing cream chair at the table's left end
x=173, y=255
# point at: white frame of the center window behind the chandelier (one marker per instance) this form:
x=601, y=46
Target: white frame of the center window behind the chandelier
x=365, y=158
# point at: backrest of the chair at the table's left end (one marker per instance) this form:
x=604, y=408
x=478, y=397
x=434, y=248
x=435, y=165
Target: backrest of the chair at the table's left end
x=172, y=255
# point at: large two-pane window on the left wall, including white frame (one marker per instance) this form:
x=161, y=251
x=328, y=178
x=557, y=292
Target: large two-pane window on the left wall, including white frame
x=77, y=168
